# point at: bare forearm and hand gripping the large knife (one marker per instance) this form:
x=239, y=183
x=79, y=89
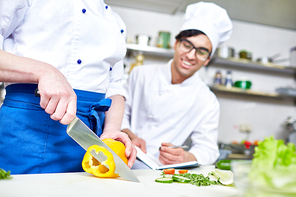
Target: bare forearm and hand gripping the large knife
x=56, y=95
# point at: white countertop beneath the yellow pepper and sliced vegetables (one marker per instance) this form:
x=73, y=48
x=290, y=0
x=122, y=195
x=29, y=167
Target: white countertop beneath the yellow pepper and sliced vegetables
x=84, y=184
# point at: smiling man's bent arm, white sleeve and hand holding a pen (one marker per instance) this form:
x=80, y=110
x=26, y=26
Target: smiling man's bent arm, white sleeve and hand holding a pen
x=204, y=140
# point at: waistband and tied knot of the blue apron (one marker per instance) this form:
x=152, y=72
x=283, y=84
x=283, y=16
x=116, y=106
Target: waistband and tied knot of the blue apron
x=89, y=104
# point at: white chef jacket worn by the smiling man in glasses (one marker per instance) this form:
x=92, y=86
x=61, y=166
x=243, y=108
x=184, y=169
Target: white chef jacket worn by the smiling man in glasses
x=159, y=111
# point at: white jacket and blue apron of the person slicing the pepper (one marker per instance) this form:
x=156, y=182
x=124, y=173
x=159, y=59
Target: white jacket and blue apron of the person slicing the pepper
x=85, y=40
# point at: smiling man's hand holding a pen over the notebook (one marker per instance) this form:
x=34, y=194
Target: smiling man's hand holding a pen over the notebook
x=173, y=155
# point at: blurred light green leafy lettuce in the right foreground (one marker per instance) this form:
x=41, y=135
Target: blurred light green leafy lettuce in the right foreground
x=274, y=165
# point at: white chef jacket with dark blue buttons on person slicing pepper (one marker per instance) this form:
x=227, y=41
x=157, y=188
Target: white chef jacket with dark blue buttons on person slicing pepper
x=85, y=39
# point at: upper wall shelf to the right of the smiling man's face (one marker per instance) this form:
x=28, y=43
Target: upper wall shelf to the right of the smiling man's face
x=248, y=64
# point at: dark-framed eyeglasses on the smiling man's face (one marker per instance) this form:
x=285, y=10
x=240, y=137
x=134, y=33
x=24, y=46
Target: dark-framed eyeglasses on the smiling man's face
x=201, y=53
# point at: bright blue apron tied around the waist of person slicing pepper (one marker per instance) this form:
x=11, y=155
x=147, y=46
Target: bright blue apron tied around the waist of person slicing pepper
x=31, y=142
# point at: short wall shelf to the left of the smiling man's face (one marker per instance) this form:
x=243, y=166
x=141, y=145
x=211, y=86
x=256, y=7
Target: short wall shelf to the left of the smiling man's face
x=151, y=50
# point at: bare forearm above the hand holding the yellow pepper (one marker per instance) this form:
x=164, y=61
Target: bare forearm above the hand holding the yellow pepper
x=114, y=115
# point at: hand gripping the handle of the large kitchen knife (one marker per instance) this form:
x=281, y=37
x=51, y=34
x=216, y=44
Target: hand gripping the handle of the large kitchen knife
x=57, y=97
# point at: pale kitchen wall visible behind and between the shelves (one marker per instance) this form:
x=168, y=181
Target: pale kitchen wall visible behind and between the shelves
x=264, y=115
